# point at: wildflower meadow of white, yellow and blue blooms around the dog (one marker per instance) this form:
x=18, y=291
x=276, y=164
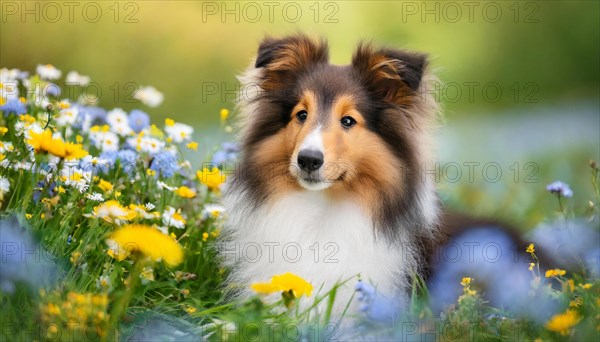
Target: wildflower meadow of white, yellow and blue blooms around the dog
x=109, y=233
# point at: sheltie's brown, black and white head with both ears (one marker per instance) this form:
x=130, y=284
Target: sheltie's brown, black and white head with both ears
x=359, y=129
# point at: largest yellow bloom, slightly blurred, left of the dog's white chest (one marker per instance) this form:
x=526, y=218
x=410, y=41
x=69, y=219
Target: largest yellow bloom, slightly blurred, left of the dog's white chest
x=147, y=241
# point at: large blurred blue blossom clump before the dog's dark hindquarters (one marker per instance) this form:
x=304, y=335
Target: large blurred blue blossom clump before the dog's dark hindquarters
x=488, y=254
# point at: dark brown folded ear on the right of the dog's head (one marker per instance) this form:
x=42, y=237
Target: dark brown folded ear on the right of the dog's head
x=393, y=75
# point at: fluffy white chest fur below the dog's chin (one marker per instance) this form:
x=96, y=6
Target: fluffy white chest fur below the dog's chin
x=324, y=241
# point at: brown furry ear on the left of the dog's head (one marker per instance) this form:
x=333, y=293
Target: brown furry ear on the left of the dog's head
x=286, y=58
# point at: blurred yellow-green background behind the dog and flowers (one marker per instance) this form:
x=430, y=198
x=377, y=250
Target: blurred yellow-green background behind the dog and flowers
x=521, y=78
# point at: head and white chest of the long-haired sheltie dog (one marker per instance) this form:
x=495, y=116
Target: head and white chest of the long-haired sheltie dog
x=331, y=181
